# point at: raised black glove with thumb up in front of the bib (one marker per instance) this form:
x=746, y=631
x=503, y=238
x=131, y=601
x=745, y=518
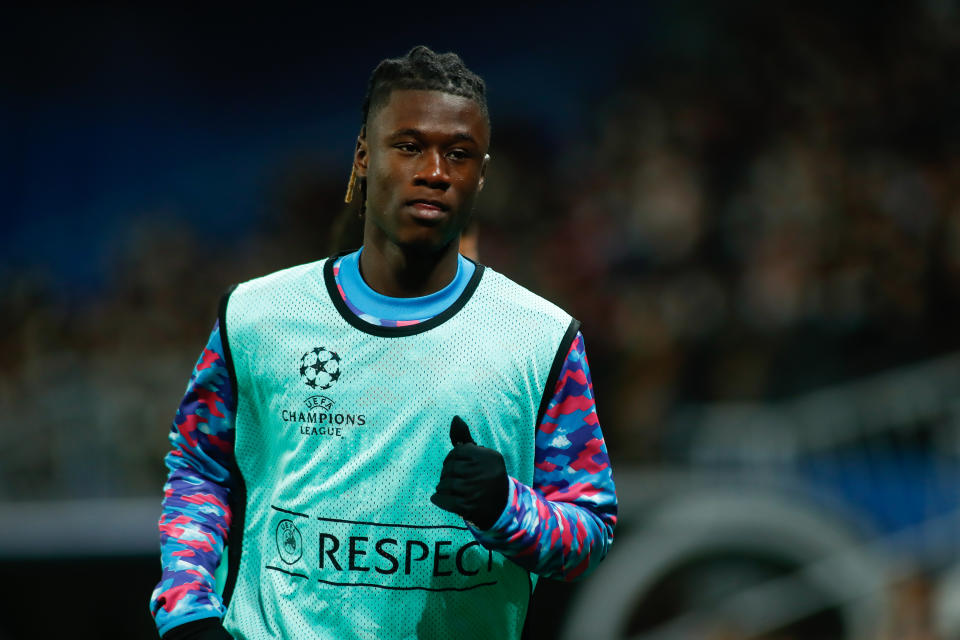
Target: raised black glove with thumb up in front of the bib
x=473, y=482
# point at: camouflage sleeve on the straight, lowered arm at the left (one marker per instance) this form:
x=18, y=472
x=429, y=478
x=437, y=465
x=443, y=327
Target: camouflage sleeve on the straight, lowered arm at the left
x=196, y=517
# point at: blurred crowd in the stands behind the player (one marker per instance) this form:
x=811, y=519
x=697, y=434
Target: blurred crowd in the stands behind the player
x=773, y=213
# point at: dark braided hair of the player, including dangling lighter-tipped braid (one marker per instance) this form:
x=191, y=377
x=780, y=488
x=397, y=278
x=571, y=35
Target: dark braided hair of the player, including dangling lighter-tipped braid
x=420, y=70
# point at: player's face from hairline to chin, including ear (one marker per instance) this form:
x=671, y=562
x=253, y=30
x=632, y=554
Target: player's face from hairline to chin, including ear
x=424, y=158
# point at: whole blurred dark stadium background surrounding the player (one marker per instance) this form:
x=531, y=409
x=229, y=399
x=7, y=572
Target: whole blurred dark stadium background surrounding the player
x=755, y=210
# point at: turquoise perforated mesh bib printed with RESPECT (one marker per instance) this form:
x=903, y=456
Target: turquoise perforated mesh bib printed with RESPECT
x=340, y=436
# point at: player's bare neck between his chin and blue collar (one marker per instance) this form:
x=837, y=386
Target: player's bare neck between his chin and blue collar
x=403, y=273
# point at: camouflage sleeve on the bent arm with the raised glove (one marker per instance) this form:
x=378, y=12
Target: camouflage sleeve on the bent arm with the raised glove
x=562, y=526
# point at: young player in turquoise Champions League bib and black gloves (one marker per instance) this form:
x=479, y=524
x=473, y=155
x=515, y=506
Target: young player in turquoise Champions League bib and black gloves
x=397, y=441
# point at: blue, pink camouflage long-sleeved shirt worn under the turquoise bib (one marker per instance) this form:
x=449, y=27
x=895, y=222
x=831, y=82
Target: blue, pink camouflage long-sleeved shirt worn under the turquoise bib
x=559, y=527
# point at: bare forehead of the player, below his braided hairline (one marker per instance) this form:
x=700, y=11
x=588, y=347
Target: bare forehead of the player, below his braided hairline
x=433, y=112
